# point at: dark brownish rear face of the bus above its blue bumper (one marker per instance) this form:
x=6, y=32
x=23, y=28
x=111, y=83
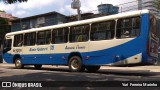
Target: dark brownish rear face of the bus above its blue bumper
x=153, y=37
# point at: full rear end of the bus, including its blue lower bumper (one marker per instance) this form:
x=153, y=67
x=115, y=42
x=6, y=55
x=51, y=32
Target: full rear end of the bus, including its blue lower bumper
x=153, y=41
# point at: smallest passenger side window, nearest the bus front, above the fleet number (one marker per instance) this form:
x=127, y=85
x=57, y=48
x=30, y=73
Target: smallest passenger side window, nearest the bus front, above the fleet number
x=18, y=40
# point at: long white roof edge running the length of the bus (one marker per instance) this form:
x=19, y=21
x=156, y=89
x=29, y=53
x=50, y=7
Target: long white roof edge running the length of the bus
x=88, y=21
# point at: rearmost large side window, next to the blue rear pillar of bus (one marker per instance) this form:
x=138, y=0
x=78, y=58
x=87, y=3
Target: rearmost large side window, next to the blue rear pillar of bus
x=128, y=27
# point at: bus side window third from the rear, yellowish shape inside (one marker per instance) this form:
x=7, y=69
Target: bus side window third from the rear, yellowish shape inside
x=79, y=33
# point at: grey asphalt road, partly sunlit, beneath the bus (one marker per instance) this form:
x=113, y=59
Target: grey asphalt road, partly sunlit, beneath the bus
x=62, y=73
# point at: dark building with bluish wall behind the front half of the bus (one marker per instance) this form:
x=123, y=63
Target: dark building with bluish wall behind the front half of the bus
x=47, y=19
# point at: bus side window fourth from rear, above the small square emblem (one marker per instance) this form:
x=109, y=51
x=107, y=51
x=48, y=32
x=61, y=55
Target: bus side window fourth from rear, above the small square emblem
x=60, y=35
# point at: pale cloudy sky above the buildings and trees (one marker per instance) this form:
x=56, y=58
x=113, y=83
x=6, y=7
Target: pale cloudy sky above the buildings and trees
x=35, y=7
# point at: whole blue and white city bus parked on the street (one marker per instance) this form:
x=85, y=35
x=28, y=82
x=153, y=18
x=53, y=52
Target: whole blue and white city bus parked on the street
x=120, y=39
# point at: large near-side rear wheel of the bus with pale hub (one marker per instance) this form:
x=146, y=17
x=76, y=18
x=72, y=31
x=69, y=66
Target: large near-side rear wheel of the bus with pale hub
x=75, y=64
